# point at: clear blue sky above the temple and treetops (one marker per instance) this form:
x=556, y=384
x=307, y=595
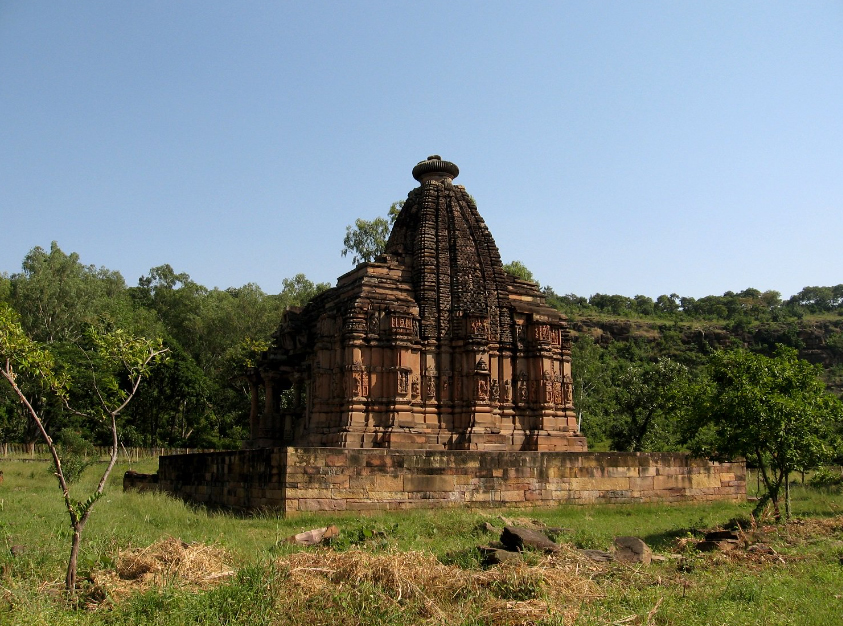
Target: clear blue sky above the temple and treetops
x=629, y=147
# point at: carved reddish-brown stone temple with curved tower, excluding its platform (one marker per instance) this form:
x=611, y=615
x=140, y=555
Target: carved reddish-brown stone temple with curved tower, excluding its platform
x=432, y=346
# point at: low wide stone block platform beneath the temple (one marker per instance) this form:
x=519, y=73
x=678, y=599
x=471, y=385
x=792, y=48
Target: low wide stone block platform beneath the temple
x=294, y=480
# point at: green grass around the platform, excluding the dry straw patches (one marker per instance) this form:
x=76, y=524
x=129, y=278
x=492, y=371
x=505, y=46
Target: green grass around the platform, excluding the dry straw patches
x=803, y=587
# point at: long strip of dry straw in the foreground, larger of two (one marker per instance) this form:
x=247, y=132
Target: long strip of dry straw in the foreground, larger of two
x=510, y=593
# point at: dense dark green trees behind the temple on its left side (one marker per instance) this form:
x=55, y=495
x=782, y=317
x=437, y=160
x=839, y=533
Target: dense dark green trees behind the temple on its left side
x=197, y=398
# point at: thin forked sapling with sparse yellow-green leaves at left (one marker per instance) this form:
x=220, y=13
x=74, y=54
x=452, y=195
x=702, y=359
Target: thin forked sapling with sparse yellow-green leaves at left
x=119, y=361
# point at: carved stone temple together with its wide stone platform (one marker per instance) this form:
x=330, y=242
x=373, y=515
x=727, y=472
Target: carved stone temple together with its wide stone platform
x=428, y=379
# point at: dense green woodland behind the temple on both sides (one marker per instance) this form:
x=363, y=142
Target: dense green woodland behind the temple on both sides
x=637, y=361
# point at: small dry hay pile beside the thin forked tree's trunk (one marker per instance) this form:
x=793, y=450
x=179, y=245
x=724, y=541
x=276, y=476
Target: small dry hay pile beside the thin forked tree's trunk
x=169, y=561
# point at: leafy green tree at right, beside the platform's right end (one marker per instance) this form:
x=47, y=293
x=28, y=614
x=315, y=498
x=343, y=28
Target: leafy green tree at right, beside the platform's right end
x=774, y=411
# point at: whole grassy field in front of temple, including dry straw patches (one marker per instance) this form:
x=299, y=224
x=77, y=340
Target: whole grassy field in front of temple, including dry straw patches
x=407, y=568
